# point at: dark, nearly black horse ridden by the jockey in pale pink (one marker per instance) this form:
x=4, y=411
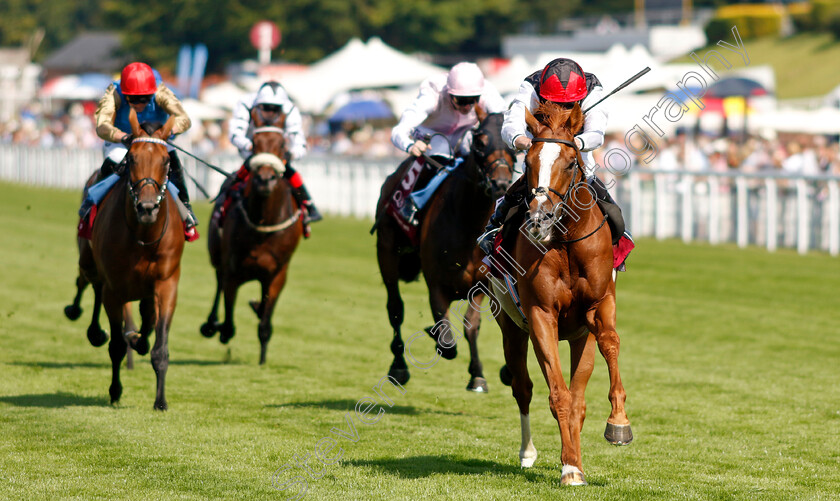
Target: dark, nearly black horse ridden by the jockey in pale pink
x=447, y=253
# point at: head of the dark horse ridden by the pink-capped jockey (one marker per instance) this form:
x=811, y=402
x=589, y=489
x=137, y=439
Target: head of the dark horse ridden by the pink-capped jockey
x=494, y=158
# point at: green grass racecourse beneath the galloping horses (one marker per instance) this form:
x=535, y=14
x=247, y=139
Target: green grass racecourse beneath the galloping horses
x=730, y=359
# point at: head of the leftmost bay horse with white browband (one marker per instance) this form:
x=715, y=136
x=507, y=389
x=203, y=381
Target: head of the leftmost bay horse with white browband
x=148, y=167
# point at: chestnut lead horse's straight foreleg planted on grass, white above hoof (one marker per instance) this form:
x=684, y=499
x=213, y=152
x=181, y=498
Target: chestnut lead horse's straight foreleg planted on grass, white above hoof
x=544, y=336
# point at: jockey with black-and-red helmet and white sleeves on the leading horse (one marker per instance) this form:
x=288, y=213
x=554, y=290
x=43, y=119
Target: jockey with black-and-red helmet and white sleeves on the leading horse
x=561, y=81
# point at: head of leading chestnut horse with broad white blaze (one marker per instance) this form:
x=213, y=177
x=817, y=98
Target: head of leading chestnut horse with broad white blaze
x=553, y=165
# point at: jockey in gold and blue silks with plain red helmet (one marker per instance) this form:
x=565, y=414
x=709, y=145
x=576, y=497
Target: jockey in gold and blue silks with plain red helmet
x=140, y=88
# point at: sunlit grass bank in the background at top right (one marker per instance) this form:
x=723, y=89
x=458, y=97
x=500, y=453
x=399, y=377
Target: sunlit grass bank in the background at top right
x=800, y=62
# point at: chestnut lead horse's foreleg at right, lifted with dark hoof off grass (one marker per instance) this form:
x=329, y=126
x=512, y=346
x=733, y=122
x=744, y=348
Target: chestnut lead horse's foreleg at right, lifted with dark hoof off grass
x=602, y=324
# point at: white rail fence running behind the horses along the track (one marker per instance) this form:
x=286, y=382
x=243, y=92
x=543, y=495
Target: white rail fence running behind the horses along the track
x=801, y=212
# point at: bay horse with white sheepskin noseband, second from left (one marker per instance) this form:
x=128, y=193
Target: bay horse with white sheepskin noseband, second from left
x=258, y=236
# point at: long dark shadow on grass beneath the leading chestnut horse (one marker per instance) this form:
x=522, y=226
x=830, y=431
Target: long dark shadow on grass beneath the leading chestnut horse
x=426, y=466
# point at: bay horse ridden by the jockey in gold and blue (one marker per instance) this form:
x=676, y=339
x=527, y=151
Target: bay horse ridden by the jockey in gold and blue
x=135, y=254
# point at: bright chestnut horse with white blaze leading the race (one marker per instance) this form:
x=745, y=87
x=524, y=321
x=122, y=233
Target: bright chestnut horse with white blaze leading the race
x=567, y=291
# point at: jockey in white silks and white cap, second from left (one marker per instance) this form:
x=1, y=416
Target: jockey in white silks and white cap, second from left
x=271, y=102
